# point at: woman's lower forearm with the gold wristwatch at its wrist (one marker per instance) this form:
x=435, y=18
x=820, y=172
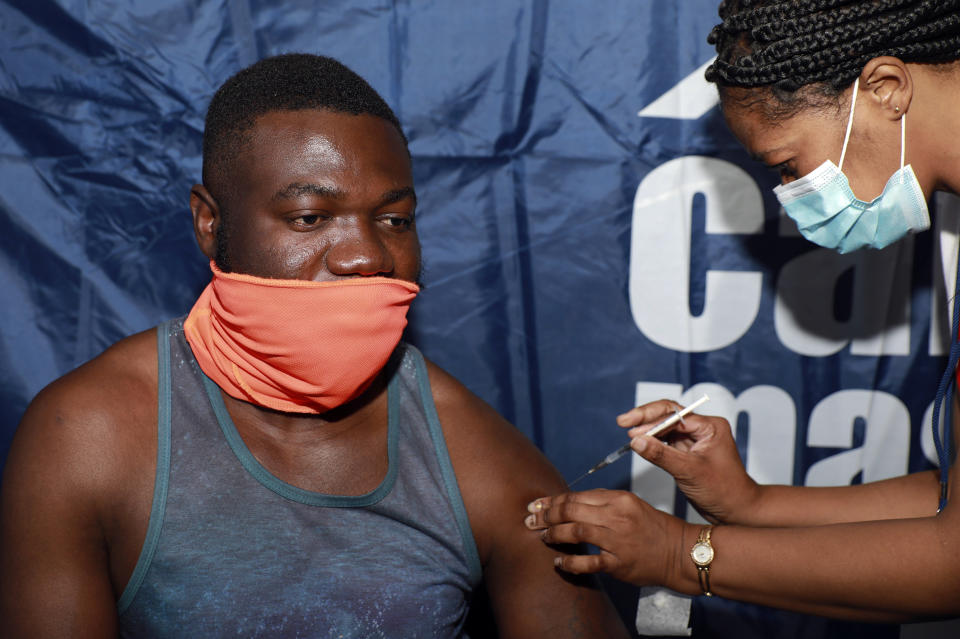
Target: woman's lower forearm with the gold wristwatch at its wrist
x=882, y=571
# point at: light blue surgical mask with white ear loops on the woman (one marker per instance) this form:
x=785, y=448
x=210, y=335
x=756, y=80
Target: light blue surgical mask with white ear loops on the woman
x=829, y=214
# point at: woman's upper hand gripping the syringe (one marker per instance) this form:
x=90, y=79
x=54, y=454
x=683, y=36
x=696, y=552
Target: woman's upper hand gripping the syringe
x=701, y=455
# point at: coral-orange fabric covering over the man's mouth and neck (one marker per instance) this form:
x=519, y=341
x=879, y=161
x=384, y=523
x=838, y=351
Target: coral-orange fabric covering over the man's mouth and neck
x=294, y=345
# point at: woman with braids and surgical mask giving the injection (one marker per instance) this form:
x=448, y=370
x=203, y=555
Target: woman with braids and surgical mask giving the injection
x=857, y=105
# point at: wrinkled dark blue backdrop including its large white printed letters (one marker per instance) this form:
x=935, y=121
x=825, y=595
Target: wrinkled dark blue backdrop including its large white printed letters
x=593, y=235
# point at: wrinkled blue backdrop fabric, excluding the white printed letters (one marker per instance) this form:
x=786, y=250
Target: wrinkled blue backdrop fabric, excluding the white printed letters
x=527, y=150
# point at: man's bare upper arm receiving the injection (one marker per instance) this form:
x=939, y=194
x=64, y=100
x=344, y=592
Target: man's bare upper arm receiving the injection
x=500, y=472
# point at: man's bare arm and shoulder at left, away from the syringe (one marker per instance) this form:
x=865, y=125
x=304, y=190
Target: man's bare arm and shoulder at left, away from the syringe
x=68, y=495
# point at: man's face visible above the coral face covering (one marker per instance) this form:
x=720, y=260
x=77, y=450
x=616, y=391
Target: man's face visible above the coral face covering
x=320, y=195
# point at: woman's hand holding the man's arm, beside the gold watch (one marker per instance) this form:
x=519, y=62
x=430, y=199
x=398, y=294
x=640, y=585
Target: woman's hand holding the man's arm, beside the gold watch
x=638, y=544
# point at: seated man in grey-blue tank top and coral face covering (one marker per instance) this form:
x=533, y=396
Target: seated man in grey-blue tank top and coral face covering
x=279, y=463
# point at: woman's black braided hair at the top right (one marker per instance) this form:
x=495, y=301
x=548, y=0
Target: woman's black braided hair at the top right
x=801, y=50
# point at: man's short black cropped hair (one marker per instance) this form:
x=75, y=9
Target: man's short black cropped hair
x=288, y=82
